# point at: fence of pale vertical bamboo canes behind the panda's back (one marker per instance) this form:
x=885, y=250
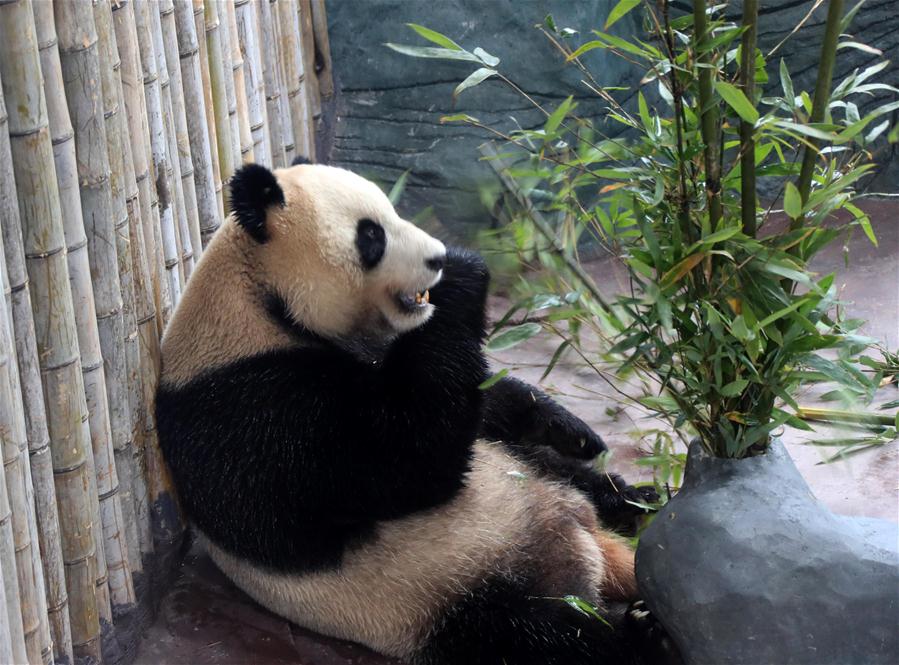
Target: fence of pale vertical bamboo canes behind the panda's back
x=121, y=122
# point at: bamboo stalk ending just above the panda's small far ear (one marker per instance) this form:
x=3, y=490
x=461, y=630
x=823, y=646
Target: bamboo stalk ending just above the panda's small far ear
x=291, y=57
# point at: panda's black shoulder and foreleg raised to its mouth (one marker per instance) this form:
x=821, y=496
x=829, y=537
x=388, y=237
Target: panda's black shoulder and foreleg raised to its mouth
x=287, y=459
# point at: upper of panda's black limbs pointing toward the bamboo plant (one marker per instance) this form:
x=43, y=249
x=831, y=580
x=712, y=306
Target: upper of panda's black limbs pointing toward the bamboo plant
x=520, y=414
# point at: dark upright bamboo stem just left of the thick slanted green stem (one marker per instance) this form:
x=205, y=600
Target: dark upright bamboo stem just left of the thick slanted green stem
x=747, y=130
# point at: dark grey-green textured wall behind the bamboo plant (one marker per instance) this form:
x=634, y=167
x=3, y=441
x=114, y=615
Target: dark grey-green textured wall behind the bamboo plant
x=385, y=119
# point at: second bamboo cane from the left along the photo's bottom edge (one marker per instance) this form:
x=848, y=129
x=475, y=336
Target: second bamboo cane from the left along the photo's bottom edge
x=20, y=593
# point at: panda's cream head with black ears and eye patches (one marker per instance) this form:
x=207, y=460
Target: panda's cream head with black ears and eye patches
x=329, y=246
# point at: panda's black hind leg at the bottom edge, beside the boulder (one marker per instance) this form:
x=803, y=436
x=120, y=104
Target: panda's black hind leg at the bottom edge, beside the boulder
x=503, y=623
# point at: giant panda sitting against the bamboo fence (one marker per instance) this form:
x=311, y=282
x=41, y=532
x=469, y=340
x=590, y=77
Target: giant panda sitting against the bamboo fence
x=319, y=409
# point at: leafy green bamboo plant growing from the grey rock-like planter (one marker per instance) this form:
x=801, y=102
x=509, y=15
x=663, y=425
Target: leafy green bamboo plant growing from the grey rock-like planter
x=723, y=319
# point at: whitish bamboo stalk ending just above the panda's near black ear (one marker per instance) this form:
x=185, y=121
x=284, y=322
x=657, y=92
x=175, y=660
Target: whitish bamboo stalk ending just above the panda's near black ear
x=248, y=38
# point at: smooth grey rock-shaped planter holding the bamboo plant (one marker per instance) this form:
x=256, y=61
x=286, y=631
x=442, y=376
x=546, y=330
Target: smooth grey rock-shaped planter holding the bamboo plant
x=744, y=565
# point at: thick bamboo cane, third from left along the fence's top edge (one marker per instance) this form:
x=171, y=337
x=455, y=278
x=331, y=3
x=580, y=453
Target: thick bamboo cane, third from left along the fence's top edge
x=78, y=47
